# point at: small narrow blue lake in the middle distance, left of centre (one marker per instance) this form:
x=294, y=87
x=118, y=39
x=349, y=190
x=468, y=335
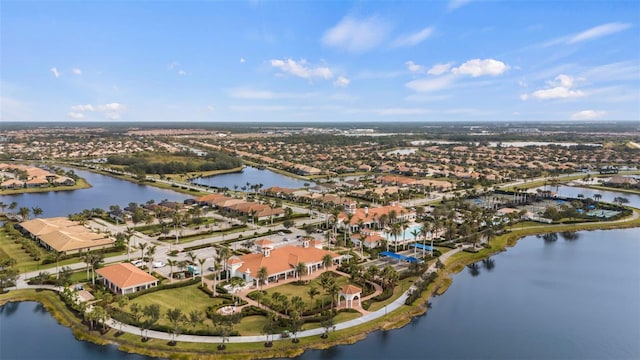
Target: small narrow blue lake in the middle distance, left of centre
x=252, y=175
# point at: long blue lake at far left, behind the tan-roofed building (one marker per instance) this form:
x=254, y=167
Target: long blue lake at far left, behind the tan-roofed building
x=105, y=191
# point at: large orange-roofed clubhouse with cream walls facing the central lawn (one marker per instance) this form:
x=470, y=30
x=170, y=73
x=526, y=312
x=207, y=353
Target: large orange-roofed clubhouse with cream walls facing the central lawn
x=280, y=262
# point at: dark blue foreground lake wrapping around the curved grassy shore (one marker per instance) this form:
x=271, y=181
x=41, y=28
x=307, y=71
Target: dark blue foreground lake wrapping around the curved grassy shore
x=543, y=299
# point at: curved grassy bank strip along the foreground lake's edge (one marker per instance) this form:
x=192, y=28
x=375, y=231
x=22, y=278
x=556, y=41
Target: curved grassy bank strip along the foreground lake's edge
x=395, y=319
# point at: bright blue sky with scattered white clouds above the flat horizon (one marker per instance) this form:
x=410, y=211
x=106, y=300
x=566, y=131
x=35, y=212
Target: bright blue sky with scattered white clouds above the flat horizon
x=319, y=61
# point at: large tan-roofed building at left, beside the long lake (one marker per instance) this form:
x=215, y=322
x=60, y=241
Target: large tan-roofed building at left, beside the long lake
x=65, y=236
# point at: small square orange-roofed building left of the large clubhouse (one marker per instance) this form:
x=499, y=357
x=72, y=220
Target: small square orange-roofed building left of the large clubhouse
x=125, y=278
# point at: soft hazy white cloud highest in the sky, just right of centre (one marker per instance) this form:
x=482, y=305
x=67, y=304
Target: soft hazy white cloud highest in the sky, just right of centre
x=356, y=35
